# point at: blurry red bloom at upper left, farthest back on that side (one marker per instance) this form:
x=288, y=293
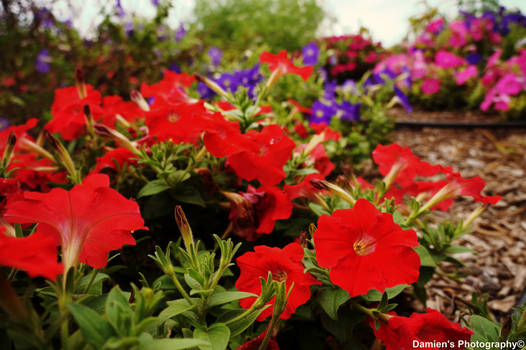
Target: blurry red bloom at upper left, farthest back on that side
x=68, y=111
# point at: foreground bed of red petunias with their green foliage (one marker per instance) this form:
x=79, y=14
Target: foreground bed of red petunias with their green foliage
x=279, y=243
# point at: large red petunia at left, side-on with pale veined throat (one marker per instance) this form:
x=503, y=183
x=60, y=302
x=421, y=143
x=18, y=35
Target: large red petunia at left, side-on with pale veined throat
x=90, y=220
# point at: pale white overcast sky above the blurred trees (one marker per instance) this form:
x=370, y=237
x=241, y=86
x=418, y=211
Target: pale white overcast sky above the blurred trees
x=388, y=20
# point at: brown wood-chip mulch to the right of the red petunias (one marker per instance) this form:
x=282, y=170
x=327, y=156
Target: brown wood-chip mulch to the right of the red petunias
x=499, y=235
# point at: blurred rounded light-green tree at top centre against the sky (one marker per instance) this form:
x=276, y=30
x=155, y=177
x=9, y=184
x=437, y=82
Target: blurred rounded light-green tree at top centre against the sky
x=244, y=24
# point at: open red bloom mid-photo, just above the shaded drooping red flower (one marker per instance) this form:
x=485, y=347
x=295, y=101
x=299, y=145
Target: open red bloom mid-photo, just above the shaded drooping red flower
x=264, y=157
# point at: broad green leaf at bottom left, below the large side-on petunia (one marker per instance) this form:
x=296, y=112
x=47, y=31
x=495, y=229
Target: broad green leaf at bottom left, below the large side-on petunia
x=93, y=326
